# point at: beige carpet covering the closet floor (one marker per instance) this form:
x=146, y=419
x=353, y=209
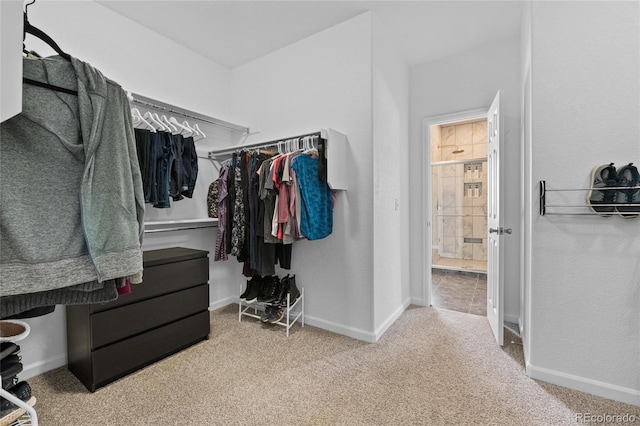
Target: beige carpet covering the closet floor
x=432, y=367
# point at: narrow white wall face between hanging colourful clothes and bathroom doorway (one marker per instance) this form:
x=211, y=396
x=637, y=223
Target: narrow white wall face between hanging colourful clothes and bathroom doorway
x=390, y=194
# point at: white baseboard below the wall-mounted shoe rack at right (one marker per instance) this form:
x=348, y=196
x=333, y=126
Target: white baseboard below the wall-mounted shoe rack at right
x=594, y=387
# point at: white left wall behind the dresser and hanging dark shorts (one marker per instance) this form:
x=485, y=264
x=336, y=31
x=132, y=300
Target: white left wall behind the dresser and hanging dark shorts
x=137, y=59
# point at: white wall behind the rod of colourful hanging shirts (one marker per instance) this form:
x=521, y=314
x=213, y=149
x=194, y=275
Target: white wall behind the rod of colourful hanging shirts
x=324, y=81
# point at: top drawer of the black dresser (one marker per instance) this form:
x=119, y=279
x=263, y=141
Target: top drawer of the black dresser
x=162, y=279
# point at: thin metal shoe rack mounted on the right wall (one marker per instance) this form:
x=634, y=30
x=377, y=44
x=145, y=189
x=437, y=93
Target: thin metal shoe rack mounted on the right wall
x=561, y=206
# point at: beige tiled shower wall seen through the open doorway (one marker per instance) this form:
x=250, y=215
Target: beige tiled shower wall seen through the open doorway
x=456, y=214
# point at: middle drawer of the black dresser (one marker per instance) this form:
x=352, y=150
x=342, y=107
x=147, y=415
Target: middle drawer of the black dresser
x=117, y=324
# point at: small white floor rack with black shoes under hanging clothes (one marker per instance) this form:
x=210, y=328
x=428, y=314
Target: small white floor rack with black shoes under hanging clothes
x=285, y=310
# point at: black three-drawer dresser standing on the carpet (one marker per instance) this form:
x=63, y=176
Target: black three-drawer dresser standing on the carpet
x=164, y=314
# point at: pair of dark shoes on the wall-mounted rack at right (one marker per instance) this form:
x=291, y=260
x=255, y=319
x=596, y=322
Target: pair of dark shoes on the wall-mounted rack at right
x=622, y=198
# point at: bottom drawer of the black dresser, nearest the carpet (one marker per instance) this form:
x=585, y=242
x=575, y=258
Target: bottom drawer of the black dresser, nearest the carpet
x=122, y=358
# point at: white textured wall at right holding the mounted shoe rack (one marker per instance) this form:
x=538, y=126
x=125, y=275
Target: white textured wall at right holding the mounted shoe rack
x=585, y=273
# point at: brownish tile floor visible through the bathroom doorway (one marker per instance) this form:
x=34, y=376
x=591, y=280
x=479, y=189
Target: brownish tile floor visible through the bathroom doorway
x=459, y=291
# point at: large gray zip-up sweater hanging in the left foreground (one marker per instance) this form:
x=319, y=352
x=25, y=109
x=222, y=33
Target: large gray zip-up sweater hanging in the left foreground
x=71, y=200
